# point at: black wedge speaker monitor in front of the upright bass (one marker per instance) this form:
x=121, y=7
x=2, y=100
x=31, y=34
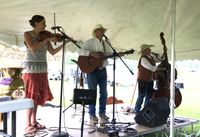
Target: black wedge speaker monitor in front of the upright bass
x=154, y=114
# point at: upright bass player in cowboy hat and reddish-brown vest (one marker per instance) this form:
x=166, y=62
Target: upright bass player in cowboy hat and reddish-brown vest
x=146, y=68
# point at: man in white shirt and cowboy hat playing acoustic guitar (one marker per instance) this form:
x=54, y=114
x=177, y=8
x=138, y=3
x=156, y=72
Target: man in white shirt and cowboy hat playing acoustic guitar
x=92, y=47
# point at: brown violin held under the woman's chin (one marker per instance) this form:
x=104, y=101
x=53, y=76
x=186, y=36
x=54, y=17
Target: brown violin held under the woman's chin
x=47, y=34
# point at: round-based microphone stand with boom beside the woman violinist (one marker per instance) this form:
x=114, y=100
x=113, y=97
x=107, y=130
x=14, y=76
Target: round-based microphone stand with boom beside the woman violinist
x=60, y=133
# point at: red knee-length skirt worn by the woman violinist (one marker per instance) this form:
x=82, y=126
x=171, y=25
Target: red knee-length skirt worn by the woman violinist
x=37, y=87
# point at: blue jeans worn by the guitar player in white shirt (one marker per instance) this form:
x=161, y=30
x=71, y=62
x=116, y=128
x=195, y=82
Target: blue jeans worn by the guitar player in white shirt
x=95, y=78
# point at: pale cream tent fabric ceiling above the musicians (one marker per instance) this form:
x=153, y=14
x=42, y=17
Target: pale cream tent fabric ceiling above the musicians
x=130, y=23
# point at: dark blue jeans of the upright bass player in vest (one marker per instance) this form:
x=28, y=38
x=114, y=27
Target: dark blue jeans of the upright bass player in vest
x=145, y=90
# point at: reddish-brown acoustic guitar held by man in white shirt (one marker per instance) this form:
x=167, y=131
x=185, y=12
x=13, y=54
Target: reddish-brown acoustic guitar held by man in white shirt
x=88, y=64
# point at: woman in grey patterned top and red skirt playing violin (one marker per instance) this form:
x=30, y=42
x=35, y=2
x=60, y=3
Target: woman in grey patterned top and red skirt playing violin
x=35, y=74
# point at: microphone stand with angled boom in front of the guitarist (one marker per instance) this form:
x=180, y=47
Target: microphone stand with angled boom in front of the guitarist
x=113, y=121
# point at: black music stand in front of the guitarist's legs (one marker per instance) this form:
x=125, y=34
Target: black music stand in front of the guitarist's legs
x=84, y=97
